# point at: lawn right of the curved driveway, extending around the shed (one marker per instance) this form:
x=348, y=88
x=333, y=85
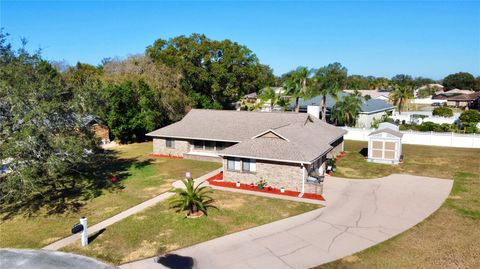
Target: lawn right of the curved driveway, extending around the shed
x=449, y=238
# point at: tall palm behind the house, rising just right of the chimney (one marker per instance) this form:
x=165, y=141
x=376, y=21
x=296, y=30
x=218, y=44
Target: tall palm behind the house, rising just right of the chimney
x=329, y=80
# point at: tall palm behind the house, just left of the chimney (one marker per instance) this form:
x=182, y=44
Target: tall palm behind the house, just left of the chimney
x=298, y=84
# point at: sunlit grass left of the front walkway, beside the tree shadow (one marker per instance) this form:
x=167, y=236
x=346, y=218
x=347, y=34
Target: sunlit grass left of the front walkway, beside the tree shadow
x=142, y=183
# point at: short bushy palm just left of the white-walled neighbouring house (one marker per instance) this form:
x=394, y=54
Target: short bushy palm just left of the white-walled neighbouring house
x=346, y=110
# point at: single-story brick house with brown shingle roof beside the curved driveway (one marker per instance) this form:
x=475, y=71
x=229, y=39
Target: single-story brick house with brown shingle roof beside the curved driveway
x=283, y=148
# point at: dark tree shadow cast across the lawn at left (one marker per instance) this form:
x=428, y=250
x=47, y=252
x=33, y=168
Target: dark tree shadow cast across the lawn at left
x=76, y=187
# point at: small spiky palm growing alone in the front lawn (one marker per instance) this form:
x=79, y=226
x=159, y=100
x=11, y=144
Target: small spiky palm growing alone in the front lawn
x=192, y=198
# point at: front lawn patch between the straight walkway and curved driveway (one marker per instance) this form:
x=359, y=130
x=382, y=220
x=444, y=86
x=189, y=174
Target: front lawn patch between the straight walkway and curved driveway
x=159, y=229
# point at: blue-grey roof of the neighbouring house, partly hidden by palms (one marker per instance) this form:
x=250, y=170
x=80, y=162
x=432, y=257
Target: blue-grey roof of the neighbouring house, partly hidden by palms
x=368, y=106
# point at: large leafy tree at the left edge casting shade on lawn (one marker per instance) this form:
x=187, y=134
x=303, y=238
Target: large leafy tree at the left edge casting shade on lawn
x=44, y=137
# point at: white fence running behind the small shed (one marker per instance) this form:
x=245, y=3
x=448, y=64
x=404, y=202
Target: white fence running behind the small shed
x=422, y=138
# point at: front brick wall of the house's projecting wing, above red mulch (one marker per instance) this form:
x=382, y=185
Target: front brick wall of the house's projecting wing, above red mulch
x=277, y=174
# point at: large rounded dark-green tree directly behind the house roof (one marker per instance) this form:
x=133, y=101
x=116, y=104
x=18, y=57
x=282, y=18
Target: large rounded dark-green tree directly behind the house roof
x=214, y=73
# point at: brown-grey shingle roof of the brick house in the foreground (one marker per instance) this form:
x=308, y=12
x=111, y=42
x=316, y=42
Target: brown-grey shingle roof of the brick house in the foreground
x=307, y=137
